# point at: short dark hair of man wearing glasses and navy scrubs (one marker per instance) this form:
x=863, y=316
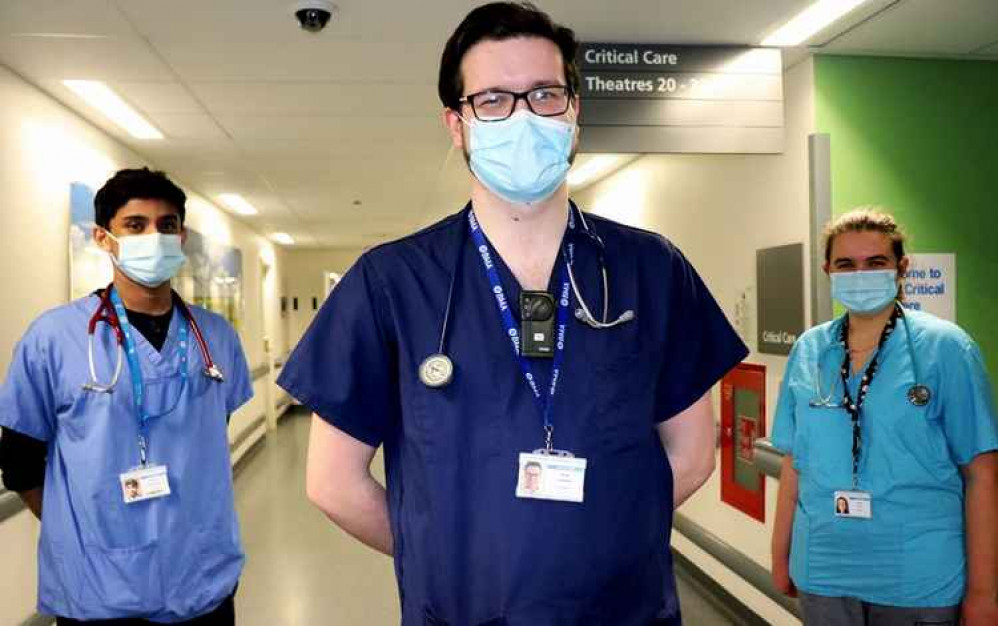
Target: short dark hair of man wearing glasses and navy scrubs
x=498, y=21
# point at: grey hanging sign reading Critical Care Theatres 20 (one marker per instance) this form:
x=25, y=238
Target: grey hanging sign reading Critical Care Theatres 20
x=641, y=98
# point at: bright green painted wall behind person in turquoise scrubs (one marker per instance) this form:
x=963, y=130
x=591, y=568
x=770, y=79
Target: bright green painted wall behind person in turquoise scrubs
x=920, y=137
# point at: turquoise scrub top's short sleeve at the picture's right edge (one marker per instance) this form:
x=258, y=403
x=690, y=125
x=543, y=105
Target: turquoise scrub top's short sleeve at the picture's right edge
x=968, y=406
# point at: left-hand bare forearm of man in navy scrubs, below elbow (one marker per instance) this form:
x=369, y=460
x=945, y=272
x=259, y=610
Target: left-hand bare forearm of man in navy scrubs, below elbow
x=361, y=510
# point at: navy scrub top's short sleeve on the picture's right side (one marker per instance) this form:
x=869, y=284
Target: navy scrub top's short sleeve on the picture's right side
x=701, y=345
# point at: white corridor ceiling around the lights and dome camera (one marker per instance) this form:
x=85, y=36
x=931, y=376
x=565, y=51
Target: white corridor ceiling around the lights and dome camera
x=305, y=125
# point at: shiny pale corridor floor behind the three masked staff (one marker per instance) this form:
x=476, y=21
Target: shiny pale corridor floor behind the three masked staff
x=302, y=571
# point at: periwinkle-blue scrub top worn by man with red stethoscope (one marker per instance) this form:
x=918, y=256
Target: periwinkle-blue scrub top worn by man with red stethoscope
x=165, y=560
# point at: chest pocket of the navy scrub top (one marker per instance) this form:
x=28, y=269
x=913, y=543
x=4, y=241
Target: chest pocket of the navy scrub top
x=625, y=401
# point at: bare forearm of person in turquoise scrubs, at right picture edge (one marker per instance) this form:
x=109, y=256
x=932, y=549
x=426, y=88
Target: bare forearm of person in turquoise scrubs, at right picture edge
x=981, y=513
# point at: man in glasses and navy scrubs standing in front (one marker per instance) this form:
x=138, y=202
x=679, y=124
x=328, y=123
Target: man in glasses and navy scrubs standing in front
x=488, y=342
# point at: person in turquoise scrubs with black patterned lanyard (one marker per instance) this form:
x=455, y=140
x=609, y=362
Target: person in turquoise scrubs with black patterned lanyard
x=888, y=504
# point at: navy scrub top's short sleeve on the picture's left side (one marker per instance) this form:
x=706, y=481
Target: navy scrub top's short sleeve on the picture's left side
x=345, y=369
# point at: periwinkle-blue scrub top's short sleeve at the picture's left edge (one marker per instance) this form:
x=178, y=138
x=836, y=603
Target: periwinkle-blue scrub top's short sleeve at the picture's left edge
x=27, y=397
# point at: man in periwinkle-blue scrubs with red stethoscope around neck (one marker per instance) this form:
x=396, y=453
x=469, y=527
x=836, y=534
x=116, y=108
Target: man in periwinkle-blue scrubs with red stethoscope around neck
x=128, y=469
